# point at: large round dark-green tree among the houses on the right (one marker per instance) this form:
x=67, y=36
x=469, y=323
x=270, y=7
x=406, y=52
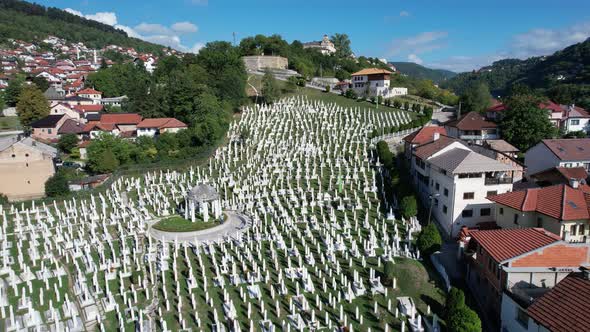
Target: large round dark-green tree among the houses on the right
x=524, y=124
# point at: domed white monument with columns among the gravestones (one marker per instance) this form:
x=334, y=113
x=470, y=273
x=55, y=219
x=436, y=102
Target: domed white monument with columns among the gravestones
x=203, y=198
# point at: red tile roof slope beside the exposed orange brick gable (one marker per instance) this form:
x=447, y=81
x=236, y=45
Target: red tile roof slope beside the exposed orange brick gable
x=504, y=244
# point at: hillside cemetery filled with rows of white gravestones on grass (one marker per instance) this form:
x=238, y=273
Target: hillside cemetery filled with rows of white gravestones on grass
x=286, y=228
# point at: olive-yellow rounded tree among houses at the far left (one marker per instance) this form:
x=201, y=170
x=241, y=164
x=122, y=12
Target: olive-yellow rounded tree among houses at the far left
x=31, y=105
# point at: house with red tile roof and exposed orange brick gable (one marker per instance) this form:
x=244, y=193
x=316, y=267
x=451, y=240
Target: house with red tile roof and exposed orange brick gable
x=517, y=264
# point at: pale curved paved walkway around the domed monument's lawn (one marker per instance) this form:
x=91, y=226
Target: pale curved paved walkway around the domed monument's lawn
x=236, y=223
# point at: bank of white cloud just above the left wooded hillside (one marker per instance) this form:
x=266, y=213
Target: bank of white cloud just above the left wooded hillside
x=152, y=32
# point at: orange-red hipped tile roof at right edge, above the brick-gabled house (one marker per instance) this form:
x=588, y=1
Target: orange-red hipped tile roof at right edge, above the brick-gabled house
x=561, y=201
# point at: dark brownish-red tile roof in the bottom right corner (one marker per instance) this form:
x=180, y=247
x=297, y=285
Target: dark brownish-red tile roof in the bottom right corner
x=566, y=307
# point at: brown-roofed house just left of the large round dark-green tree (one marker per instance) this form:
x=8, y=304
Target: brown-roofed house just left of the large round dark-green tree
x=472, y=127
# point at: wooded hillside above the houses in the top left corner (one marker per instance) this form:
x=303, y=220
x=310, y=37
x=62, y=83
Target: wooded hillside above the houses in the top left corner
x=32, y=22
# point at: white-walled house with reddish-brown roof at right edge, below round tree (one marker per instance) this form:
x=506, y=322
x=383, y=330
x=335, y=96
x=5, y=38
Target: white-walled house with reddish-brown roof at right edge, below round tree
x=550, y=153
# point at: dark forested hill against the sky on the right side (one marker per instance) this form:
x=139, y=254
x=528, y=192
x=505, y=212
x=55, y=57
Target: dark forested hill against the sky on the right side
x=563, y=76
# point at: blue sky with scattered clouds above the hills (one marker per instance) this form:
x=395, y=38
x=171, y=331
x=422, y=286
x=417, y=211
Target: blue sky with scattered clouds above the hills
x=457, y=35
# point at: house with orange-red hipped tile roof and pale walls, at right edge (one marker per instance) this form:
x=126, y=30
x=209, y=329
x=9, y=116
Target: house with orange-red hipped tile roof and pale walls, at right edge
x=560, y=209
